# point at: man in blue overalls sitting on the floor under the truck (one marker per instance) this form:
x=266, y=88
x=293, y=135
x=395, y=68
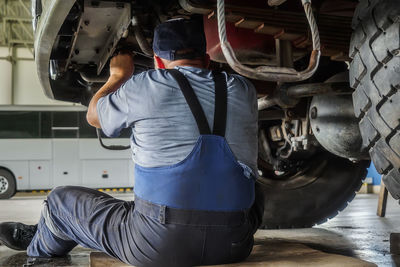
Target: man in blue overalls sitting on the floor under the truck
x=194, y=143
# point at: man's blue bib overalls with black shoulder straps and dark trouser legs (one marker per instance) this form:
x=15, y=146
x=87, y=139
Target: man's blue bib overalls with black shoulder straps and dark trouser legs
x=195, y=212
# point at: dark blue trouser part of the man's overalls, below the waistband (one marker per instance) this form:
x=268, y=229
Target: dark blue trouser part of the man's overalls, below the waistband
x=141, y=235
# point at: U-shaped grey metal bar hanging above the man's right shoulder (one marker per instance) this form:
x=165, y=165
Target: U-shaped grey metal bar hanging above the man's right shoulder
x=268, y=73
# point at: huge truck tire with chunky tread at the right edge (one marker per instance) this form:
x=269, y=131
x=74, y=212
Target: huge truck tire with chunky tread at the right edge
x=375, y=76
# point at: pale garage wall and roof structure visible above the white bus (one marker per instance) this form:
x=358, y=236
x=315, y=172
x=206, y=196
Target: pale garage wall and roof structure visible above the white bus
x=19, y=83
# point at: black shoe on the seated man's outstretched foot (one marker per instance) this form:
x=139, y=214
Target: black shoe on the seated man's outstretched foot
x=17, y=236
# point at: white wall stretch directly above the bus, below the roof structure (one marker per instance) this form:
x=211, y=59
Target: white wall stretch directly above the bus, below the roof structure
x=19, y=83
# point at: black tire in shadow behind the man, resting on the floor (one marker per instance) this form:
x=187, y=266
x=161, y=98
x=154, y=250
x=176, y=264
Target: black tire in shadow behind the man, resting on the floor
x=313, y=196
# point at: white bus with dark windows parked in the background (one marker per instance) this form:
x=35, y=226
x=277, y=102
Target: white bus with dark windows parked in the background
x=44, y=147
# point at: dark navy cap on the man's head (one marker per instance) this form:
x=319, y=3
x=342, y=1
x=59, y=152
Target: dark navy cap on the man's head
x=180, y=39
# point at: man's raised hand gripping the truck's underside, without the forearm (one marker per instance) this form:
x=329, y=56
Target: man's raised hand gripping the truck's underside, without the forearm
x=122, y=67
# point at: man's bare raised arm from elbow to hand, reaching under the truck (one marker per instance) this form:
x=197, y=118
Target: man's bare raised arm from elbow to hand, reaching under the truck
x=121, y=69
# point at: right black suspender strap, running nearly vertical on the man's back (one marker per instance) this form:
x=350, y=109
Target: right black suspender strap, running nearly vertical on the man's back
x=220, y=104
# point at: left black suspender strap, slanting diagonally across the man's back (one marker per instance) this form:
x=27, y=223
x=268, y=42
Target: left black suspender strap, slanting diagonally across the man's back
x=192, y=101
